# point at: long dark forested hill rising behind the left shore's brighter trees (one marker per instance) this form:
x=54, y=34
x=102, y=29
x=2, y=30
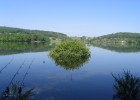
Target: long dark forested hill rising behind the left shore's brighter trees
x=11, y=30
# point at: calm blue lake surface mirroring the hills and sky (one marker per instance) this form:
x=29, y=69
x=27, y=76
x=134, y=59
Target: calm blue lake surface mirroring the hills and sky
x=32, y=69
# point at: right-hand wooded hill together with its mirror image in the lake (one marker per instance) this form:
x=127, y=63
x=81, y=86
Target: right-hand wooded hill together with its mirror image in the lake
x=119, y=42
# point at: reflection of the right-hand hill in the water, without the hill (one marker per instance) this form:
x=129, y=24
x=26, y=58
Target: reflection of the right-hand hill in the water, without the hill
x=119, y=47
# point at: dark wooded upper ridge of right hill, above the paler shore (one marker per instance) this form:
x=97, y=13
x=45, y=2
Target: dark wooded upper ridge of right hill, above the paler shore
x=121, y=35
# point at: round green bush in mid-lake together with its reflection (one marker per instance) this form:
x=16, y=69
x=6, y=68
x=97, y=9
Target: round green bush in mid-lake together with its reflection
x=70, y=55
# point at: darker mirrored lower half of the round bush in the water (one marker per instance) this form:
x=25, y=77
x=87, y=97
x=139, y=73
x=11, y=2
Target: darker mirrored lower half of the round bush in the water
x=71, y=63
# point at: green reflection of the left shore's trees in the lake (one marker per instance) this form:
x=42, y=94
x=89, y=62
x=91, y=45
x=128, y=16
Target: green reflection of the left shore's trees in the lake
x=21, y=47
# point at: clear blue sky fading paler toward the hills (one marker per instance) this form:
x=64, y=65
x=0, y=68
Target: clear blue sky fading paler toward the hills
x=72, y=17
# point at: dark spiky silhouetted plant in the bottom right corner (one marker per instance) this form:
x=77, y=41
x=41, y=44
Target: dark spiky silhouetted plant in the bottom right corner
x=127, y=87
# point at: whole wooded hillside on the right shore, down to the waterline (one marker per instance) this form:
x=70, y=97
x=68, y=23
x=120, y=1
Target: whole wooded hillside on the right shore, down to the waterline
x=121, y=37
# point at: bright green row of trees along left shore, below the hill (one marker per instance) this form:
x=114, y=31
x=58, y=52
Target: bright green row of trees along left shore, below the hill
x=18, y=37
